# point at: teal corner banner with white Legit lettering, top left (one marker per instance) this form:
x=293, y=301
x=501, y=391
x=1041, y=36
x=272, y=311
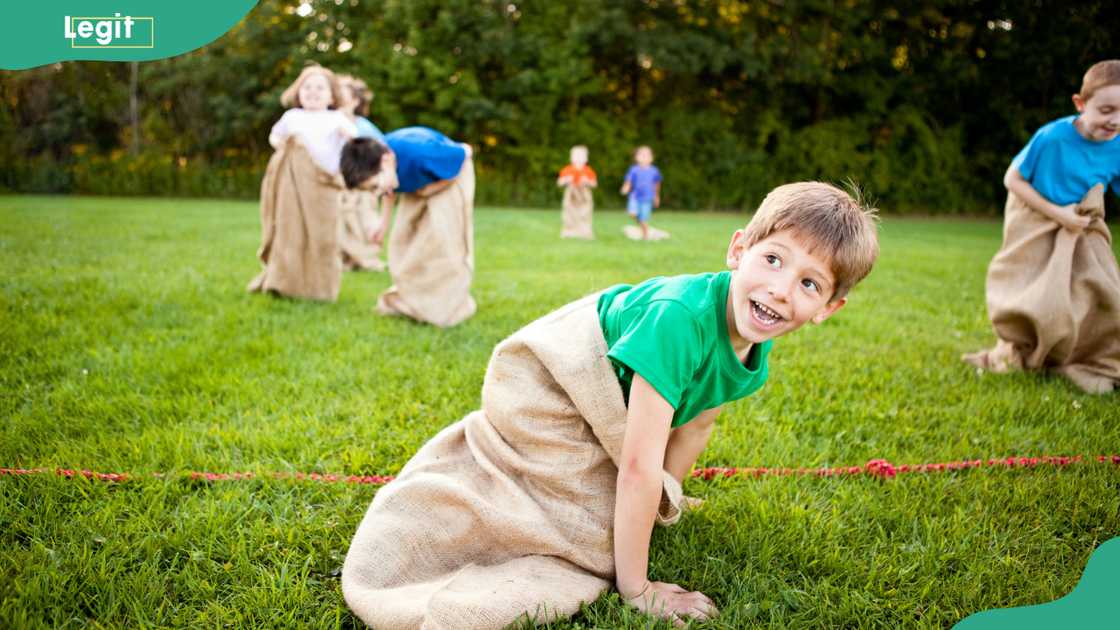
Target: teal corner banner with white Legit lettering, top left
x=115, y=31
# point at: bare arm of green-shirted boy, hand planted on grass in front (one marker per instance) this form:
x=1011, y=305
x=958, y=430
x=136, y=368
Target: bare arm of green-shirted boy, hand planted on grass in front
x=639, y=495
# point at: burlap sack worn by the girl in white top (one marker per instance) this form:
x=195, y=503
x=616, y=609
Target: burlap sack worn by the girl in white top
x=300, y=227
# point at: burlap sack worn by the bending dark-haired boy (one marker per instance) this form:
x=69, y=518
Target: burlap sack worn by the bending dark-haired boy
x=432, y=255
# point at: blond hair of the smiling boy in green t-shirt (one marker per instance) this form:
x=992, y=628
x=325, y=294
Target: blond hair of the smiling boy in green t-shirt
x=828, y=219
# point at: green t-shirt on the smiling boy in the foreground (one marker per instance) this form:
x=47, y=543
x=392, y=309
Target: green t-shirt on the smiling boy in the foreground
x=674, y=332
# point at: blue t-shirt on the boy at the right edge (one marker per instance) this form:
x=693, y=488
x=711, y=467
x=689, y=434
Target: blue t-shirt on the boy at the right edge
x=1062, y=165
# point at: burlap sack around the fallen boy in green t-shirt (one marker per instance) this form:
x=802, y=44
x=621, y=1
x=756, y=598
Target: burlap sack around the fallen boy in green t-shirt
x=510, y=511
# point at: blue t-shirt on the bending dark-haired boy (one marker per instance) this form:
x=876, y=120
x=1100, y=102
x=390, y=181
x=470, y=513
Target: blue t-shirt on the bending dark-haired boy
x=424, y=156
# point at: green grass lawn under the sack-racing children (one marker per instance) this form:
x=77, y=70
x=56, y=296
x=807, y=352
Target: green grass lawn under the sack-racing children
x=128, y=344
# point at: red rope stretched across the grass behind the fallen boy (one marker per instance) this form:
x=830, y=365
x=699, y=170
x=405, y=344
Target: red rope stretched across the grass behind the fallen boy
x=880, y=469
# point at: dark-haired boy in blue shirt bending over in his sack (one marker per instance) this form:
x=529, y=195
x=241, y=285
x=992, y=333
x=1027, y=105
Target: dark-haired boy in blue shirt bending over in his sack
x=432, y=254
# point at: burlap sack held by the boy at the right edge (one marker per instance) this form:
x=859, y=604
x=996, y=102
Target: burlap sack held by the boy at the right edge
x=1054, y=298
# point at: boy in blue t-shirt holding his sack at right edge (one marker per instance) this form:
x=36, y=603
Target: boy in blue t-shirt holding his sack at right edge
x=1054, y=286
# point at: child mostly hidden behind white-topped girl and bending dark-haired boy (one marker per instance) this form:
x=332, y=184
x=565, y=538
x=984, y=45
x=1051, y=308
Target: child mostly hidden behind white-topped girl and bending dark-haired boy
x=358, y=217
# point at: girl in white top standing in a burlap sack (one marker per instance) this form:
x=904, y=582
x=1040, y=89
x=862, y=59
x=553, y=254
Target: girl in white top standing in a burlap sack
x=300, y=193
